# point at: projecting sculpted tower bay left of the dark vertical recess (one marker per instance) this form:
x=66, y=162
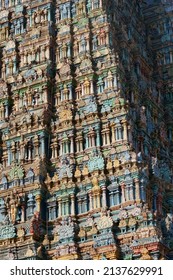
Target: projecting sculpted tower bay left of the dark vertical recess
x=26, y=92
